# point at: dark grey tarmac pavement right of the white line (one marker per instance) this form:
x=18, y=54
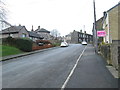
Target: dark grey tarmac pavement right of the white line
x=92, y=72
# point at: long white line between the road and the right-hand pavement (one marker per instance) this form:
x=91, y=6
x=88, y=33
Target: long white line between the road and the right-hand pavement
x=72, y=71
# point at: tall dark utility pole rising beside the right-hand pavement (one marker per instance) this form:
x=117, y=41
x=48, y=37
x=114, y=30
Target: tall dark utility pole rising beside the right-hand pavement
x=95, y=30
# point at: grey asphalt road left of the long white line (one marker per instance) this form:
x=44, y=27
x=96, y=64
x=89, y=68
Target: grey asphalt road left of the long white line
x=41, y=70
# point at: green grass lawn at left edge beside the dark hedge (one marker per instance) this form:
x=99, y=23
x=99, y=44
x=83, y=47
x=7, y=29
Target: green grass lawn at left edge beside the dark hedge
x=8, y=50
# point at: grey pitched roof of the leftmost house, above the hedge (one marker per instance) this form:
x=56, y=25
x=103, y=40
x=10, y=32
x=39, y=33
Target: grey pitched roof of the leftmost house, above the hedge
x=12, y=29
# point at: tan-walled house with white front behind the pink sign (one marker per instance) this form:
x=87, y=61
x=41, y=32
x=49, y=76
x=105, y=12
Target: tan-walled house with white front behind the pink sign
x=110, y=24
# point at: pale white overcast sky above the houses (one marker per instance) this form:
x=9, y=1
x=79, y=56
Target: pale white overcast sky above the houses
x=62, y=15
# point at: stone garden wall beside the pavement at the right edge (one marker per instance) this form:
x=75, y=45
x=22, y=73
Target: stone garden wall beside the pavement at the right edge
x=111, y=53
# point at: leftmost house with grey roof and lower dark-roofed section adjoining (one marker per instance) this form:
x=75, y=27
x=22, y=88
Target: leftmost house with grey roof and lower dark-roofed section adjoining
x=19, y=32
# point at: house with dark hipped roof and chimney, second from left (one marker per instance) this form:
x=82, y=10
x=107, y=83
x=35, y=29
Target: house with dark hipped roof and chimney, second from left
x=43, y=33
